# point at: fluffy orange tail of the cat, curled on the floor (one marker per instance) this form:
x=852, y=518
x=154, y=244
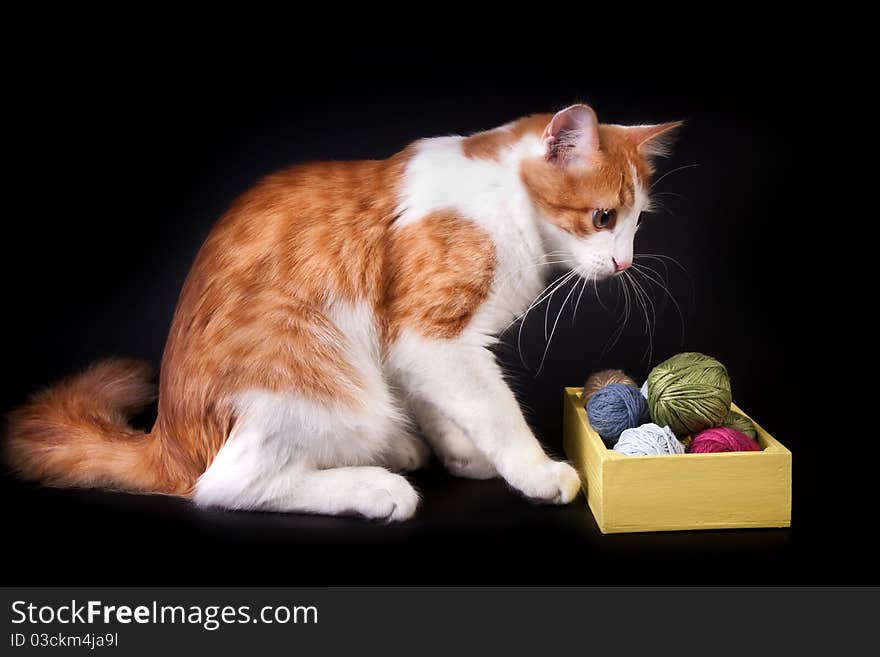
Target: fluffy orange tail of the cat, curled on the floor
x=76, y=432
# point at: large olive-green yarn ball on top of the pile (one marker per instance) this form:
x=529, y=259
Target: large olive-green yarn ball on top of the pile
x=689, y=392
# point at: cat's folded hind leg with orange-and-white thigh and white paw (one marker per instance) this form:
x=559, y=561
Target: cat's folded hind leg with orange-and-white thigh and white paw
x=316, y=422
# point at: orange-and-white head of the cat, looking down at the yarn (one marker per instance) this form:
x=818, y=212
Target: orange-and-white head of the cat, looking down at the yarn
x=590, y=187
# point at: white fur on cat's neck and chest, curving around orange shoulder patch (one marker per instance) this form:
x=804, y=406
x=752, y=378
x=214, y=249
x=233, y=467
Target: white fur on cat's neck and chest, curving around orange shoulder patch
x=491, y=194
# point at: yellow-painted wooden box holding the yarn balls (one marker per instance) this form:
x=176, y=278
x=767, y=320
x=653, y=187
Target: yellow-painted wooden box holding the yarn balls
x=676, y=492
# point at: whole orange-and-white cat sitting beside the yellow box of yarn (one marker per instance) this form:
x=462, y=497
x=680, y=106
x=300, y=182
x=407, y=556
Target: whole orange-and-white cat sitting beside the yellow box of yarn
x=335, y=327
